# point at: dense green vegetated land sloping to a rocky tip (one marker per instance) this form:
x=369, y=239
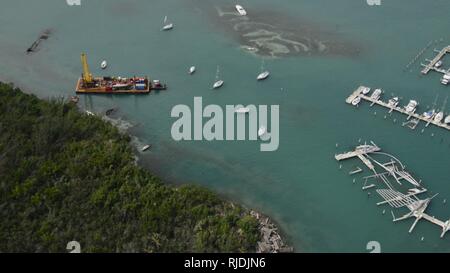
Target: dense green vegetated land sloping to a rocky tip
x=66, y=176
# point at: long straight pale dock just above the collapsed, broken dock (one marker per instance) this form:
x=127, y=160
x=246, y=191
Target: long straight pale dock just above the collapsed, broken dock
x=358, y=93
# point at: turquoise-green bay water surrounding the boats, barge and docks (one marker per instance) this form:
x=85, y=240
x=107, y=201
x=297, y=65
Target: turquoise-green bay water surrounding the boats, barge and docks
x=300, y=185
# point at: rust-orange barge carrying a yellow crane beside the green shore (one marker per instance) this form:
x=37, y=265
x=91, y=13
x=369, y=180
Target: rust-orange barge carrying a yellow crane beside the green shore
x=88, y=84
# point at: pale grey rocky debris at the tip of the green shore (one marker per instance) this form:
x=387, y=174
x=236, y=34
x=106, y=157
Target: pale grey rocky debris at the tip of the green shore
x=271, y=238
